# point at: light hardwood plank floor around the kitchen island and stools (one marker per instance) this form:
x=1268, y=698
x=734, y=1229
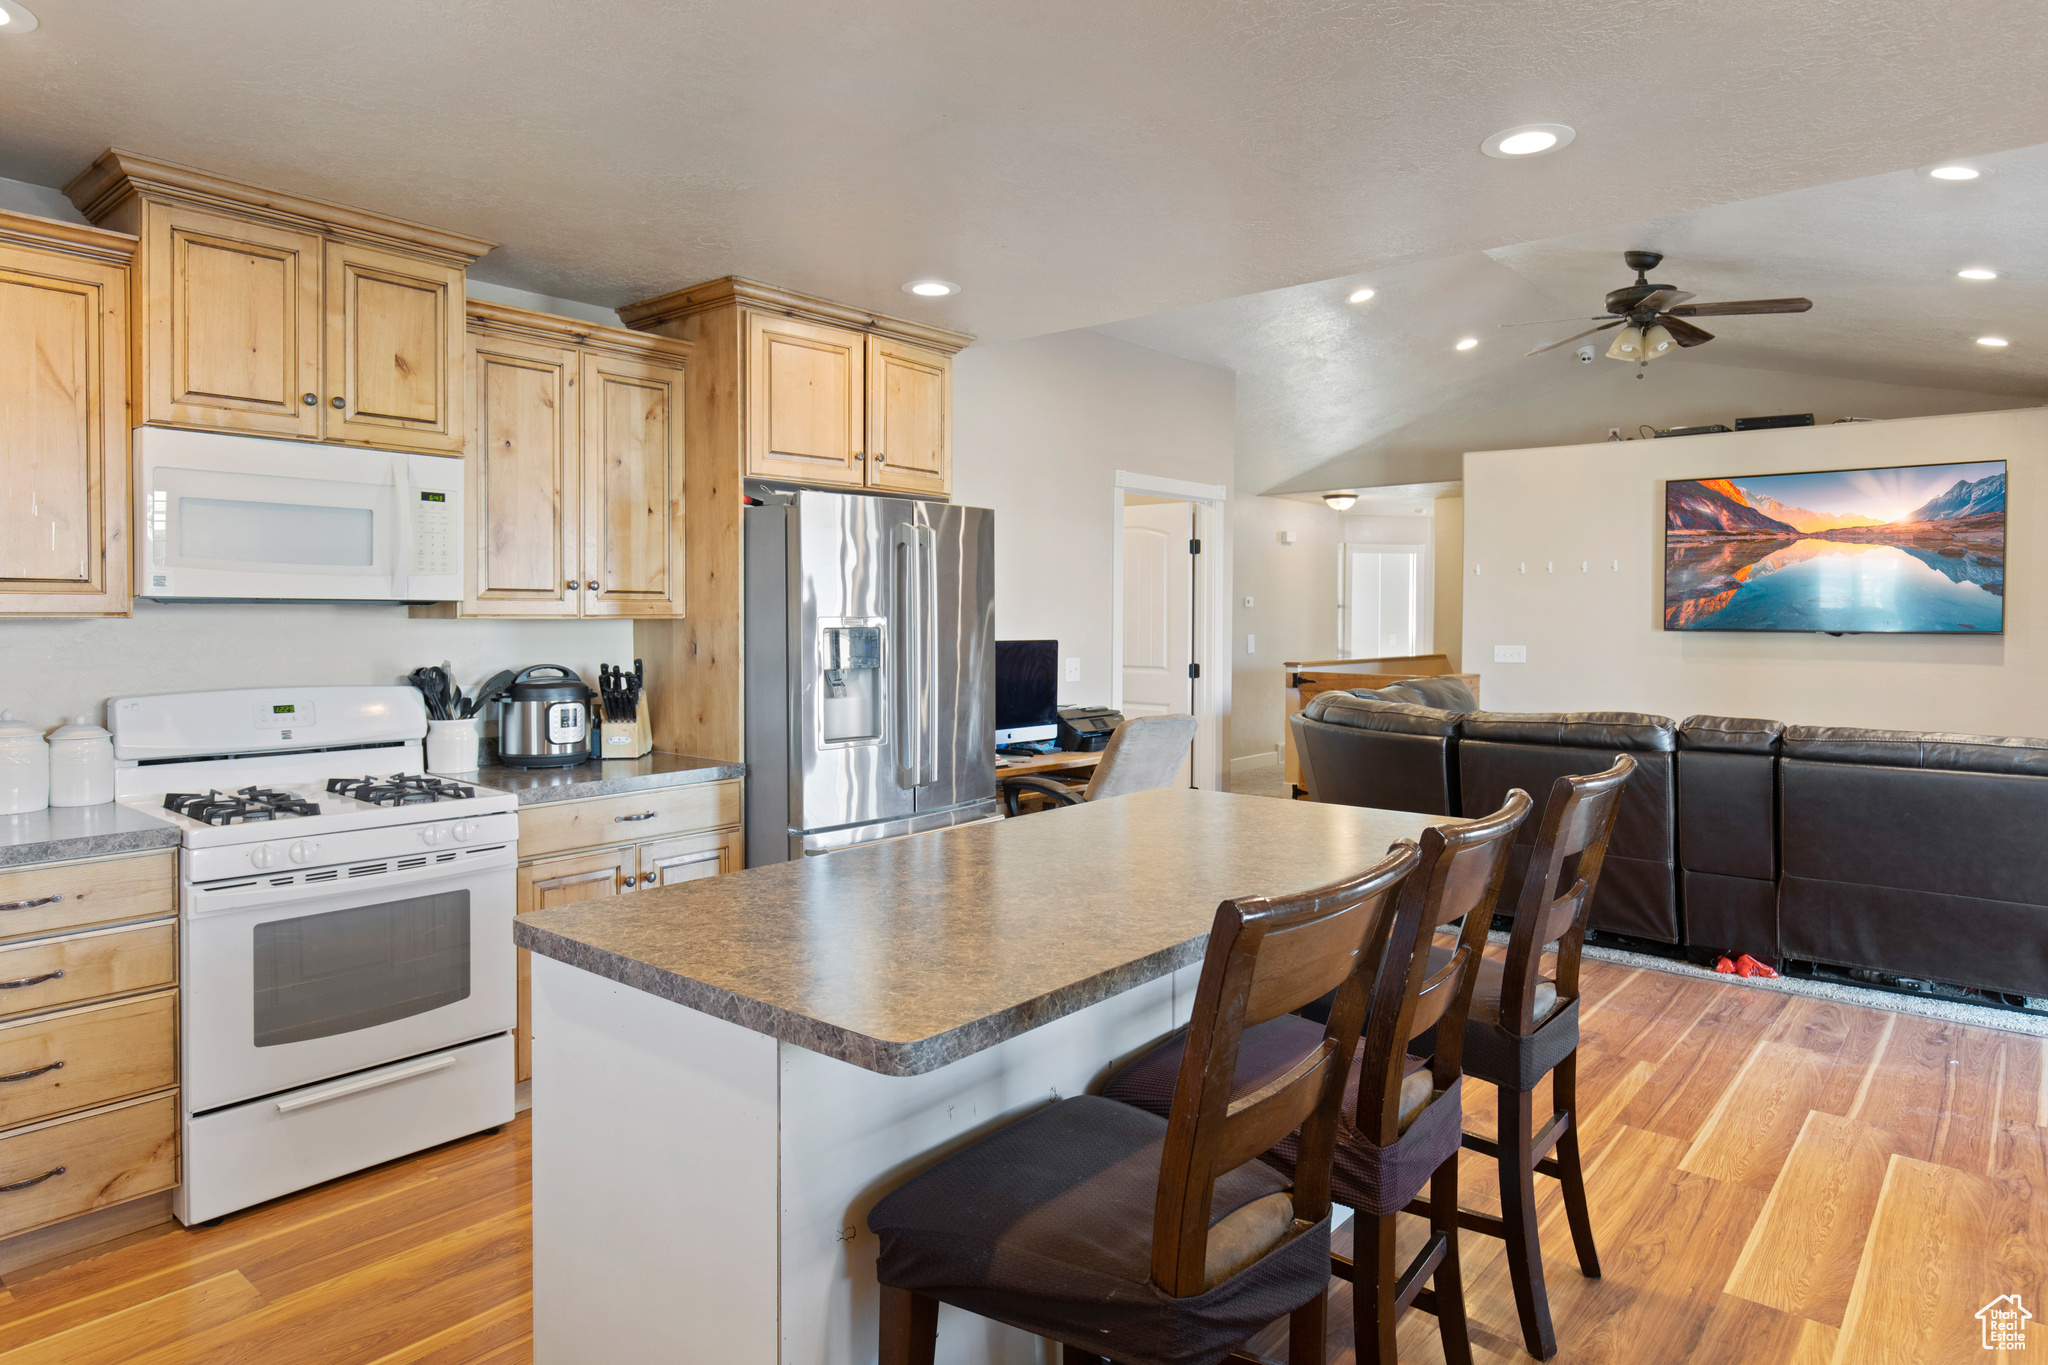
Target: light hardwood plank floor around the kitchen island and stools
x=1775, y=1182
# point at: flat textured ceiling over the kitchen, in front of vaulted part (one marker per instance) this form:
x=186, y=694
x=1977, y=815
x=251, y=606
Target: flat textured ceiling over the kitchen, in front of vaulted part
x=1068, y=161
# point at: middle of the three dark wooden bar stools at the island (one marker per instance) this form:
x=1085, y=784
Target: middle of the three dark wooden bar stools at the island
x=1402, y=1114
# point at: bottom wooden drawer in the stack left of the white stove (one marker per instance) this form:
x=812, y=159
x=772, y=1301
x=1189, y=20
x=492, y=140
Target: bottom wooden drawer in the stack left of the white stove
x=89, y=1161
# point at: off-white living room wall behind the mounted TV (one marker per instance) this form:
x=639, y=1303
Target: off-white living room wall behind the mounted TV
x=1596, y=642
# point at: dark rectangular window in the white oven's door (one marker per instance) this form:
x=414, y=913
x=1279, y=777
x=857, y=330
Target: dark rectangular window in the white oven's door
x=345, y=971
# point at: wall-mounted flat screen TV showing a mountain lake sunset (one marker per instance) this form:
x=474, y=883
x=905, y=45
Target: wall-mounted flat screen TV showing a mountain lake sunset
x=1918, y=549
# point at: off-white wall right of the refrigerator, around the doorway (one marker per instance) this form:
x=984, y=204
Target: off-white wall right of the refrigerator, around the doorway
x=1039, y=431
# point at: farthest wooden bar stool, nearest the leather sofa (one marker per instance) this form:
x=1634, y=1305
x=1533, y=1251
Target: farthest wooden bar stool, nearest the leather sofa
x=1527, y=1026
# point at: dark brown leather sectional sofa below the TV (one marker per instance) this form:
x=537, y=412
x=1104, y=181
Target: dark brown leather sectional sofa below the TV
x=1918, y=856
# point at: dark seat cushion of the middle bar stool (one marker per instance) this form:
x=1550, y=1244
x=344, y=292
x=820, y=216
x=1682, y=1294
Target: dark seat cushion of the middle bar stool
x=1367, y=1178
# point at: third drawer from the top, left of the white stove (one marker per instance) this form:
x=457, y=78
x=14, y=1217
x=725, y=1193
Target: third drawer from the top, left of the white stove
x=87, y=1057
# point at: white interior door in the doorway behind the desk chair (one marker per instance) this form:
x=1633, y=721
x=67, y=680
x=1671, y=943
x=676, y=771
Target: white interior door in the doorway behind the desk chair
x=1160, y=611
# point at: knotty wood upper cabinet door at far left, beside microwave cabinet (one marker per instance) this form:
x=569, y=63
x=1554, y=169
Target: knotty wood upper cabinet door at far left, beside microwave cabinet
x=62, y=437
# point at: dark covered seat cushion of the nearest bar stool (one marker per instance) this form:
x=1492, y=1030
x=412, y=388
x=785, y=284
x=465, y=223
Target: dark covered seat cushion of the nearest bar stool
x=1048, y=1225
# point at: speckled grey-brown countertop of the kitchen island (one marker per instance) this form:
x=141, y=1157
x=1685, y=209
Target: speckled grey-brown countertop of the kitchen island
x=906, y=957
